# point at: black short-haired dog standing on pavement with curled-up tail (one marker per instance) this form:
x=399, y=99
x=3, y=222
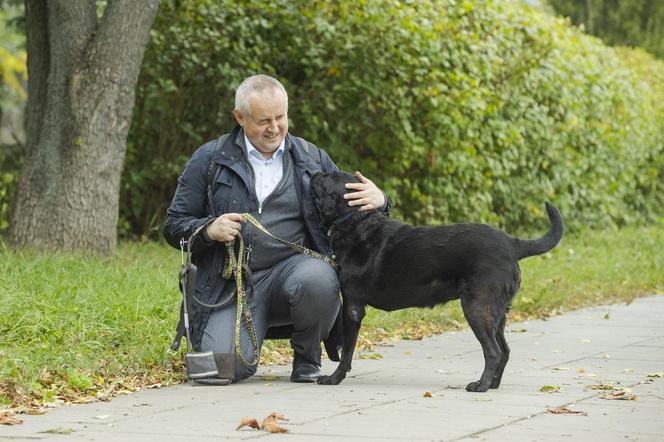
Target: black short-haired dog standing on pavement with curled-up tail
x=390, y=265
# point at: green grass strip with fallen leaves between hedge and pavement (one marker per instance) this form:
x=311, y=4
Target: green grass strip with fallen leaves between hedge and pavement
x=75, y=328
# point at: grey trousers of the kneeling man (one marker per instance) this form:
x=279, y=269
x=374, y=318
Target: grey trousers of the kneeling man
x=301, y=291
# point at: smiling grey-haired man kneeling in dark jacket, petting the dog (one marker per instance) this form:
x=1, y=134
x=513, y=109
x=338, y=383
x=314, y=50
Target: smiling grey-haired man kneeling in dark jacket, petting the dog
x=265, y=171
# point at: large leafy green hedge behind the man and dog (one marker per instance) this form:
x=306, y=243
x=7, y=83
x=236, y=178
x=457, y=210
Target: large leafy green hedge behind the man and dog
x=459, y=110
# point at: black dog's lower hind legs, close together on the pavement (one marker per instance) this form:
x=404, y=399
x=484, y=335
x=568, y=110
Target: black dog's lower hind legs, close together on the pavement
x=481, y=316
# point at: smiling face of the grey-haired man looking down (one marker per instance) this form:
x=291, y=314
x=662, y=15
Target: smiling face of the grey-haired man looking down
x=266, y=125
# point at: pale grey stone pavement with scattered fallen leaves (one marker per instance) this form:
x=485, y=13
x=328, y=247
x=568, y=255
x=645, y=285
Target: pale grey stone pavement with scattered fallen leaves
x=622, y=345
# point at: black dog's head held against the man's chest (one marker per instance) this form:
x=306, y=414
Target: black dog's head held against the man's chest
x=327, y=191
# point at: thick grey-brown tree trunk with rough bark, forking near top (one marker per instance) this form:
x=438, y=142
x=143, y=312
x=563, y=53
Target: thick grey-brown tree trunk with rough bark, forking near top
x=82, y=75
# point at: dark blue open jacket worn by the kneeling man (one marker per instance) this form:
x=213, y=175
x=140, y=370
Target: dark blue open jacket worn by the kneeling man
x=189, y=212
